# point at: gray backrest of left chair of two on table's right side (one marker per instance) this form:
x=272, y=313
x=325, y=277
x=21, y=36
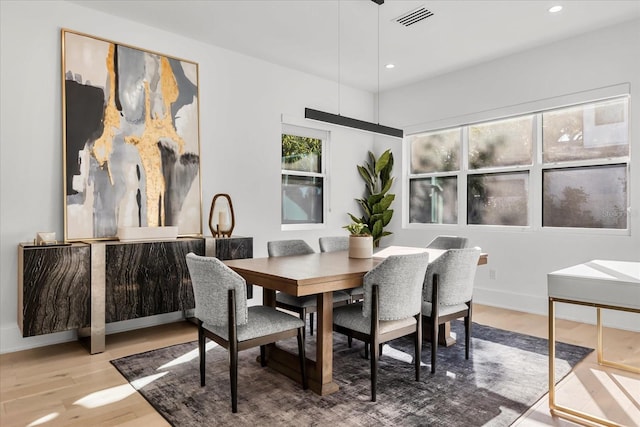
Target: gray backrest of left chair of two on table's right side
x=400, y=279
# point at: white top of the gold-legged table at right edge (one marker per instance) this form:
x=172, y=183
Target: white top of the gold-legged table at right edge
x=605, y=282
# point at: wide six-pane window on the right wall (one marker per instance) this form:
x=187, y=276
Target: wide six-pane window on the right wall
x=576, y=158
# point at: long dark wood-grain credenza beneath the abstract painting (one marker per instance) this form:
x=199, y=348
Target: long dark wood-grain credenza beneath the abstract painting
x=84, y=286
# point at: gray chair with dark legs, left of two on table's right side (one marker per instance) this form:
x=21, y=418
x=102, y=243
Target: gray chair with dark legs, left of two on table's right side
x=390, y=308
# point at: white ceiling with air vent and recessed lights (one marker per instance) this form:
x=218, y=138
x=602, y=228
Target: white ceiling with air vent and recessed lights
x=305, y=34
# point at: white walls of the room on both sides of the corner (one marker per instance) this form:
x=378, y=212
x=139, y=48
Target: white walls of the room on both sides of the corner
x=242, y=101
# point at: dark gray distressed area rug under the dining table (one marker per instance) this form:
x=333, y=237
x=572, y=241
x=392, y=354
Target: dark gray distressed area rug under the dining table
x=506, y=374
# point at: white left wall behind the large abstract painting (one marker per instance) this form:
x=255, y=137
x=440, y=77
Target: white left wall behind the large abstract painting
x=242, y=100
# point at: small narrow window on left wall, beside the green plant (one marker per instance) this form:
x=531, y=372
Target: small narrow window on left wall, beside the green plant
x=303, y=175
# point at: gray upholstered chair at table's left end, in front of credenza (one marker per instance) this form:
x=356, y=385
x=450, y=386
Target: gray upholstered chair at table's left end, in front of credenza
x=222, y=315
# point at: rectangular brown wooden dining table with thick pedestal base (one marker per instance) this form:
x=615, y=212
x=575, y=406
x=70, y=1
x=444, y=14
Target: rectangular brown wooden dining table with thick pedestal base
x=317, y=274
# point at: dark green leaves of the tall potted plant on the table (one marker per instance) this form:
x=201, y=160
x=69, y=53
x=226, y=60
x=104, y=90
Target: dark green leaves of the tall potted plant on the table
x=375, y=204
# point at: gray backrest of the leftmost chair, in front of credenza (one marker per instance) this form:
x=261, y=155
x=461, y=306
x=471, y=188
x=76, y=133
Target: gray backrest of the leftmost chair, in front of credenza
x=211, y=281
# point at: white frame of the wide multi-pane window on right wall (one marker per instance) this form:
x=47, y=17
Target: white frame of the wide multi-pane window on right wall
x=535, y=170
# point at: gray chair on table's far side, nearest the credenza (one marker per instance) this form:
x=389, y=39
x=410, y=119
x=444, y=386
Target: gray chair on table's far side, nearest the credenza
x=305, y=304
